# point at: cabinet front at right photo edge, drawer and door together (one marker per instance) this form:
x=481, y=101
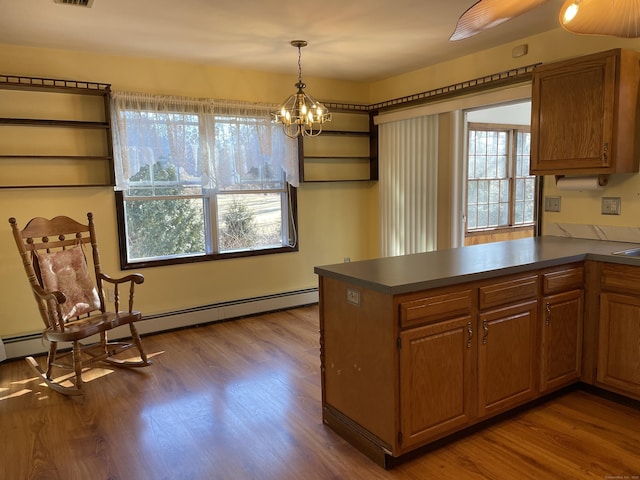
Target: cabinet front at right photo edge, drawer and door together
x=618, y=358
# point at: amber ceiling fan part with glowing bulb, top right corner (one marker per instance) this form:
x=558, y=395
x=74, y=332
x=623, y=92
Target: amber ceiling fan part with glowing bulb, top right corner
x=615, y=18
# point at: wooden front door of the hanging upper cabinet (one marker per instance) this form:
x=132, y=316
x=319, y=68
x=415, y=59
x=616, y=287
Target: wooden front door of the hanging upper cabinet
x=572, y=116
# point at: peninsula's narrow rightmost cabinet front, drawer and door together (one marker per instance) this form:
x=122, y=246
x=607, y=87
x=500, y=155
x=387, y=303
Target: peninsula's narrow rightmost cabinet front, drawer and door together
x=561, y=327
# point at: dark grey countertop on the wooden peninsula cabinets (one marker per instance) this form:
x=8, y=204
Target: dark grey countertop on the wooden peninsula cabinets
x=422, y=271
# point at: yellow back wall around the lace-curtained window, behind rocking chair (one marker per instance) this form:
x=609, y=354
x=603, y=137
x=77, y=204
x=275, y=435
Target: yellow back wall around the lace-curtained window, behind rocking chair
x=332, y=217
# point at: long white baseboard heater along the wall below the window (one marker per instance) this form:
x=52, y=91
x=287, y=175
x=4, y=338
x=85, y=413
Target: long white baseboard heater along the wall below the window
x=23, y=346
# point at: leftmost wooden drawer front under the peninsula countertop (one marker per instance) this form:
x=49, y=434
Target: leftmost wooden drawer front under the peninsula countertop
x=435, y=307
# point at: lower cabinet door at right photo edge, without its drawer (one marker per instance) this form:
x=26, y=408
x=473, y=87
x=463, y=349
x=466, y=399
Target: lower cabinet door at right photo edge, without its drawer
x=619, y=343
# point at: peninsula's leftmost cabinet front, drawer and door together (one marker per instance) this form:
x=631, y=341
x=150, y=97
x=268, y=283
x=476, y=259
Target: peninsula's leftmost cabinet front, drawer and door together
x=437, y=364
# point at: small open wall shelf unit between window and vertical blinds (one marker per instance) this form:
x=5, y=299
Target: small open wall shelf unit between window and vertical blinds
x=346, y=150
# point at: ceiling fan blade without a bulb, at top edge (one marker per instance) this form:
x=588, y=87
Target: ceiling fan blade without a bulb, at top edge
x=486, y=14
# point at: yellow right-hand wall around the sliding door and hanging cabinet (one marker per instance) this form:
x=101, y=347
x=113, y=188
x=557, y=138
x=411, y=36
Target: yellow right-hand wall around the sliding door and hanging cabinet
x=577, y=207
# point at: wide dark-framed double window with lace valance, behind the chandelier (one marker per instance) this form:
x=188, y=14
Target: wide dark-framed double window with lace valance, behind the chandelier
x=200, y=179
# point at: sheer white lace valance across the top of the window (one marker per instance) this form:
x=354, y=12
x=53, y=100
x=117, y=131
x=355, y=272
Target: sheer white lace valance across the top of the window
x=150, y=128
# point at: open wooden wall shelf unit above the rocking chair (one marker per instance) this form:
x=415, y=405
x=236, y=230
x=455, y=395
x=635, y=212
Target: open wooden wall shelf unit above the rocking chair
x=54, y=133
